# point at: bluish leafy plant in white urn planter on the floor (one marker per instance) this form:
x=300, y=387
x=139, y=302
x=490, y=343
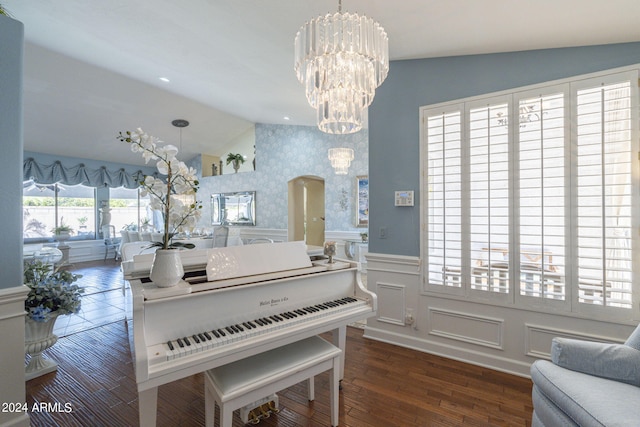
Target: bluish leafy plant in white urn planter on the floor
x=52, y=292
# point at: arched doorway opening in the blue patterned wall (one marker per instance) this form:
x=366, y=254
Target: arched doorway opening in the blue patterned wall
x=306, y=210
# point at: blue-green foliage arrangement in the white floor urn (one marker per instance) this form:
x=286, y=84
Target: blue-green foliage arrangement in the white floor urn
x=51, y=291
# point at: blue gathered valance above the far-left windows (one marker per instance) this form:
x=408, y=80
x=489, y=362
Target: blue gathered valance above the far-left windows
x=79, y=174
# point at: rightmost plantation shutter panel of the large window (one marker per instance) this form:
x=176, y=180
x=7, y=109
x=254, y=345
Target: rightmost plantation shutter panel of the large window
x=604, y=190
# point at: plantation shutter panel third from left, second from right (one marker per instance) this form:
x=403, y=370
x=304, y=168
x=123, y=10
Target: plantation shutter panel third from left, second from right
x=542, y=167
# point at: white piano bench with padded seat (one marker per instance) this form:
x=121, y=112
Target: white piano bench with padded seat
x=247, y=380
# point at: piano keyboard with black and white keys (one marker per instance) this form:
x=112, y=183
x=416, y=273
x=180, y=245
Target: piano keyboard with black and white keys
x=220, y=337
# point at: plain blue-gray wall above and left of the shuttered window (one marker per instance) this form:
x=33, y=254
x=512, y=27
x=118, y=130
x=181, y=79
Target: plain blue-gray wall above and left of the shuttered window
x=394, y=119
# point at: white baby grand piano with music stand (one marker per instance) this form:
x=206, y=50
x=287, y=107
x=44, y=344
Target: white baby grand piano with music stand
x=236, y=302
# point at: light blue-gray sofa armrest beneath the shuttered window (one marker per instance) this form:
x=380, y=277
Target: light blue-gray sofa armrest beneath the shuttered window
x=617, y=362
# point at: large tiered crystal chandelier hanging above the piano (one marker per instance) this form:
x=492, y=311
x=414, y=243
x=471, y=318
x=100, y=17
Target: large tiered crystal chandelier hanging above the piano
x=341, y=59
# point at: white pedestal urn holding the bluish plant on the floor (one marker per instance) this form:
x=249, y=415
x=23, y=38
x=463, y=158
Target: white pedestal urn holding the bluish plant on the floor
x=38, y=336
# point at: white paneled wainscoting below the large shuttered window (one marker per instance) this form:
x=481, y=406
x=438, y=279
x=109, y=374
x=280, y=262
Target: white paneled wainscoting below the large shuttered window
x=493, y=336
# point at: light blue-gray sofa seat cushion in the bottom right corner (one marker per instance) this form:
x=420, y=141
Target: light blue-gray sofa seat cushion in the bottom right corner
x=585, y=399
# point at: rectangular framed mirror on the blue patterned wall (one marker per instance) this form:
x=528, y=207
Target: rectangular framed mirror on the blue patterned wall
x=233, y=208
